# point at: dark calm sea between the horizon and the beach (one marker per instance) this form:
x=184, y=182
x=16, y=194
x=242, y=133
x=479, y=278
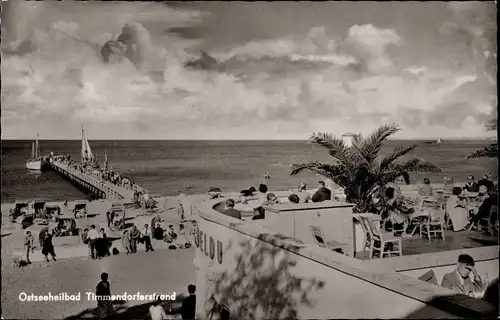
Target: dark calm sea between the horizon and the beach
x=168, y=167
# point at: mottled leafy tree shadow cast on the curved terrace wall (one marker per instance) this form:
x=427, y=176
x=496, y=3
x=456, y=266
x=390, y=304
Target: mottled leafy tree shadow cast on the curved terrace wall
x=264, y=285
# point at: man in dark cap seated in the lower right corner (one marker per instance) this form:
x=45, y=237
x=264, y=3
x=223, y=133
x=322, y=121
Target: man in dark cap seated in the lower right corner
x=460, y=281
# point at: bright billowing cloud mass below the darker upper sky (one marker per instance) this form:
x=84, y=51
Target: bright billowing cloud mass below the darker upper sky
x=277, y=88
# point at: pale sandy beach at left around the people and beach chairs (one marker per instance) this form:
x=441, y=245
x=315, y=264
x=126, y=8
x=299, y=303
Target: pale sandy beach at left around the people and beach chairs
x=163, y=270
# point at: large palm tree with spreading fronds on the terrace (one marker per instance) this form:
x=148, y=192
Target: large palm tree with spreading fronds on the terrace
x=359, y=169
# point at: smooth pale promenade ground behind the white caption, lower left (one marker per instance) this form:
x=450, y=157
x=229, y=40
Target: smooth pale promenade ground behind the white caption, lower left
x=161, y=271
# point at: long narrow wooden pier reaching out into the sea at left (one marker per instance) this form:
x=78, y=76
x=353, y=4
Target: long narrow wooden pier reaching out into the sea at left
x=93, y=184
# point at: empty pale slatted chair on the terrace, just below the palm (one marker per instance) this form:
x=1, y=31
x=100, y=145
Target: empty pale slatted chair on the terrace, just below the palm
x=382, y=242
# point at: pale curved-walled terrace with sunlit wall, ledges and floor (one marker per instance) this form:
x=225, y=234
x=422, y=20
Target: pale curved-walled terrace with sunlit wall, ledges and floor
x=294, y=228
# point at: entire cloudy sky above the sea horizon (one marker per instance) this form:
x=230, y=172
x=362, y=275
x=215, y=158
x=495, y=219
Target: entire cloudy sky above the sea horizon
x=283, y=71
